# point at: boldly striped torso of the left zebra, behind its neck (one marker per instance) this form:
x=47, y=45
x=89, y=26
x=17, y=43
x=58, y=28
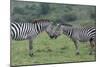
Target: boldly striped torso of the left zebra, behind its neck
x=21, y=31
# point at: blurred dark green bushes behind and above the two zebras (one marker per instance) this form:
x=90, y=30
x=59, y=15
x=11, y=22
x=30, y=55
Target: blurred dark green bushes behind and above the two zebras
x=58, y=13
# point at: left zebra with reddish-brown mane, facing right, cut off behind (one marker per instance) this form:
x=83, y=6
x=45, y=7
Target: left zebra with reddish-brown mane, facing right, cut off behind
x=29, y=31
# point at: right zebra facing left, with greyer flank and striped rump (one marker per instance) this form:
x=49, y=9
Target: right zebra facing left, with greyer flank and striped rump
x=78, y=34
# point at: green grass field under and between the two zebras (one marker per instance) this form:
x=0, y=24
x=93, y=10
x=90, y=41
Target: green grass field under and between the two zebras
x=48, y=50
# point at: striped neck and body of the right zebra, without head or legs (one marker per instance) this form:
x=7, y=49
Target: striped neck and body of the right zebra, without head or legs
x=82, y=34
